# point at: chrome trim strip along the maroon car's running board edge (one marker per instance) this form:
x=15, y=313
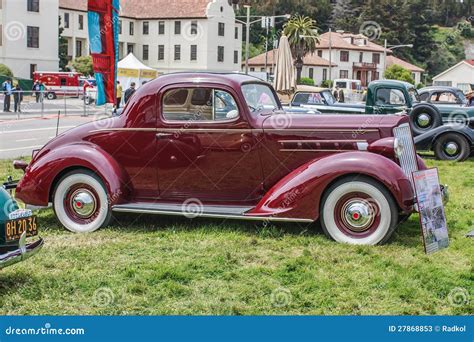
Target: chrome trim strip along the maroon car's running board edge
x=232, y=217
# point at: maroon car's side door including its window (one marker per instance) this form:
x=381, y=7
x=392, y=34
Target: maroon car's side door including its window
x=205, y=146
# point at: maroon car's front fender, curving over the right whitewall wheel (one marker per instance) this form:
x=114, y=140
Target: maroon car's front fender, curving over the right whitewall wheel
x=298, y=195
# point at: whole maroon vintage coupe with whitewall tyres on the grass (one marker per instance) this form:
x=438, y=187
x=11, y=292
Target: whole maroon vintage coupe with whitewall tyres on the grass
x=219, y=145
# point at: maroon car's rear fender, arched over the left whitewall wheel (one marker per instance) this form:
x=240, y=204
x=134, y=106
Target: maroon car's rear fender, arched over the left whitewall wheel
x=36, y=186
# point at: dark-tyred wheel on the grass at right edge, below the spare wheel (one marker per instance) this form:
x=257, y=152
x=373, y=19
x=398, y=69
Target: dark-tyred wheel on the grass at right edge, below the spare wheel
x=451, y=146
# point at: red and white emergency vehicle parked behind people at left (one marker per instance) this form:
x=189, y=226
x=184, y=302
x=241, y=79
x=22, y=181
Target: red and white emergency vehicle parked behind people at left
x=70, y=84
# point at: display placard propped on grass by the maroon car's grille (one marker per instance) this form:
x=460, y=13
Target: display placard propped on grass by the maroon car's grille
x=431, y=209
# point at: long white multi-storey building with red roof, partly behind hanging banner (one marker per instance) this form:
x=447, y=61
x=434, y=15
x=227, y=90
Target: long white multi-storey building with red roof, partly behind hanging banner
x=166, y=35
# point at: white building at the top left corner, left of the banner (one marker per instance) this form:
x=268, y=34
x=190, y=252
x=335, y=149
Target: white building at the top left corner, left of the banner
x=28, y=36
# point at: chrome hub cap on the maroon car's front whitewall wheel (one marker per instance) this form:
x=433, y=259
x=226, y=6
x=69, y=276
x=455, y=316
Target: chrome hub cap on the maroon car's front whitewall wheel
x=358, y=215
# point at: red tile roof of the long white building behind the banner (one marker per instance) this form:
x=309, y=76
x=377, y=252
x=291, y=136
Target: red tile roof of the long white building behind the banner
x=150, y=9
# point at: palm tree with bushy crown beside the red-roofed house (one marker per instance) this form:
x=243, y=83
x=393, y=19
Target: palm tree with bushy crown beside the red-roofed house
x=303, y=38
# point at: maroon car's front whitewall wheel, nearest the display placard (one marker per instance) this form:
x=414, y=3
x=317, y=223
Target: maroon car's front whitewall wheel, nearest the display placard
x=358, y=210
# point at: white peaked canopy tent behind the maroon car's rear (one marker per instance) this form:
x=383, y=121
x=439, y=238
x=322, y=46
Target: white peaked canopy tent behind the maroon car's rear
x=130, y=69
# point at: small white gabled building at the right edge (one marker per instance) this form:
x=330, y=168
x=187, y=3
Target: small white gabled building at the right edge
x=461, y=76
